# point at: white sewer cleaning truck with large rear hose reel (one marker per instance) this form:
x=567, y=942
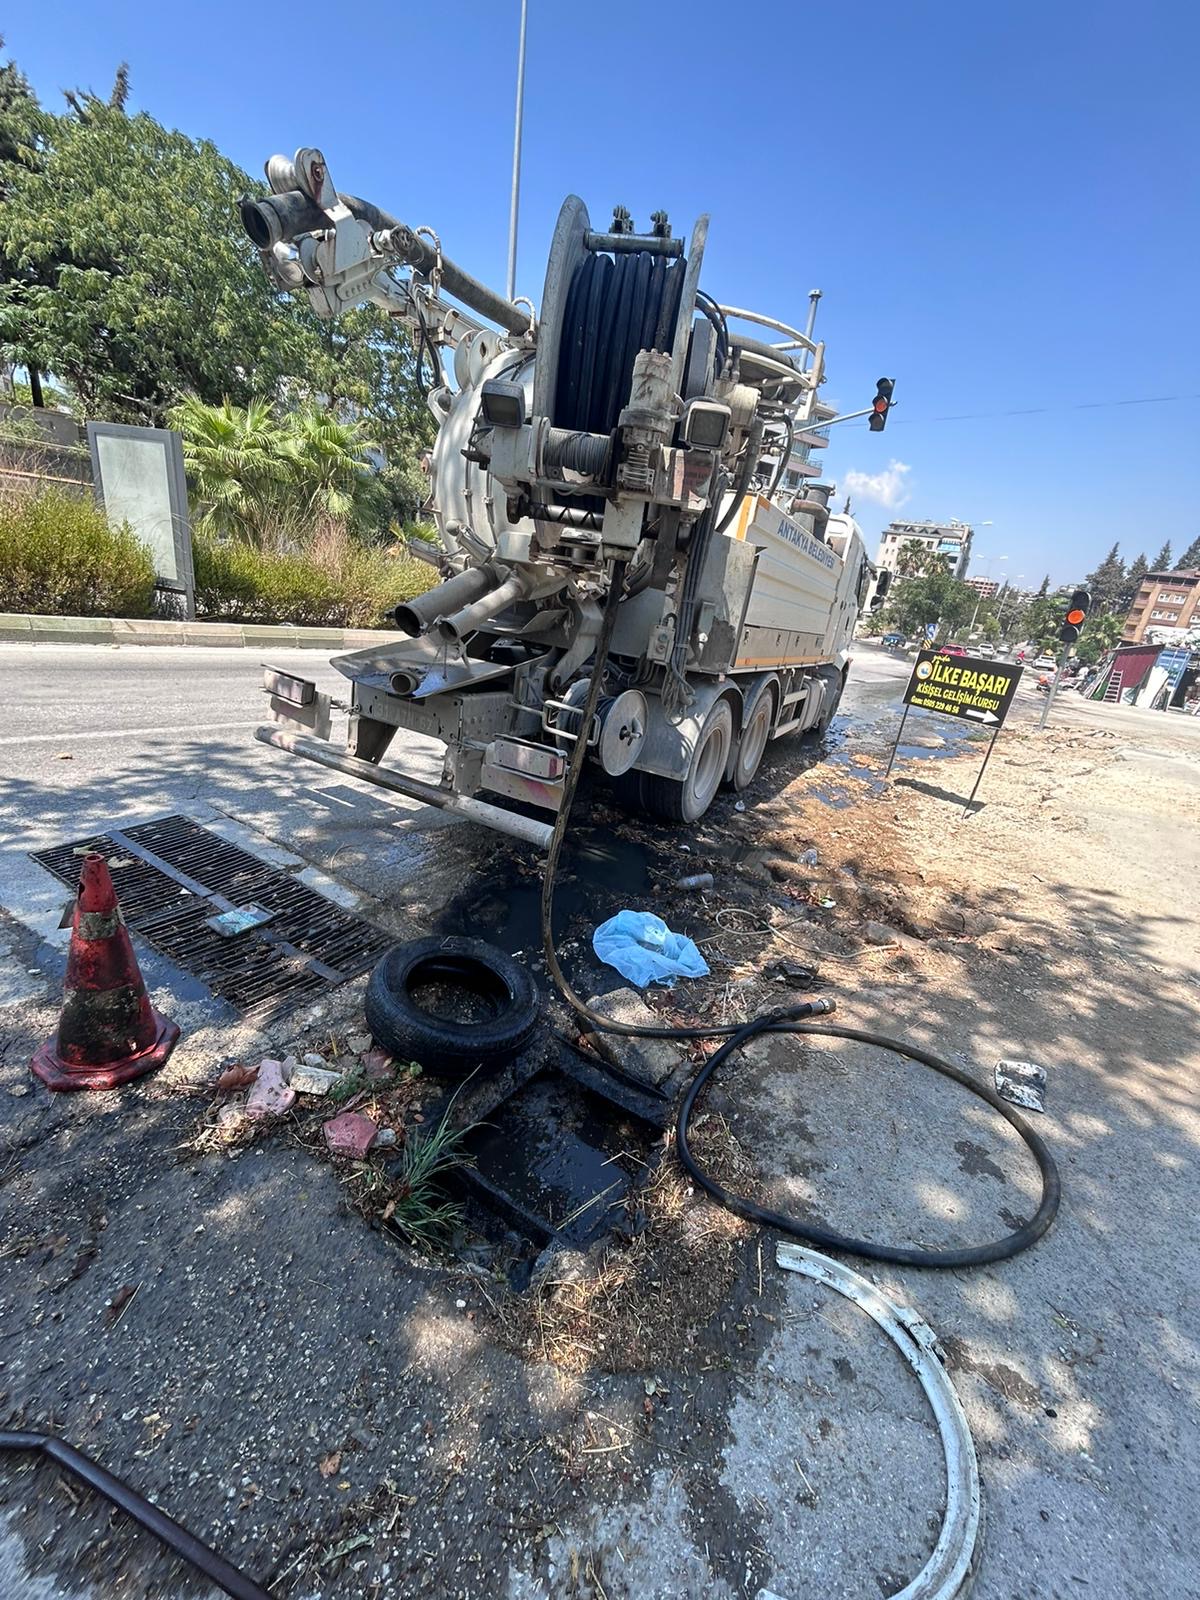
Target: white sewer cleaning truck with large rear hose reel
x=628, y=444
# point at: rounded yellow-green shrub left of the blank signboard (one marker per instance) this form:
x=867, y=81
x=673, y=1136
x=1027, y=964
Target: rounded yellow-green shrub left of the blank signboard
x=60, y=558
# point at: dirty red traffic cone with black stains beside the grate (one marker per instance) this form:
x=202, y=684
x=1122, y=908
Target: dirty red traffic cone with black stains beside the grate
x=110, y=1033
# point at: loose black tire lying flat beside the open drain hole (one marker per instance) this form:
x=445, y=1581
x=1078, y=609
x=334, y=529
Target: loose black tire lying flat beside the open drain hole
x=446, y=1047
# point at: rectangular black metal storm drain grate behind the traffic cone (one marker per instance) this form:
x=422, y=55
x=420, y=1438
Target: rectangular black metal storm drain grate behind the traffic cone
x=175, y=874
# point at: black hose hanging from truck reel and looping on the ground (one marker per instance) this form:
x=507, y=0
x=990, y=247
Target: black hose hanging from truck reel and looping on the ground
x=788, y=1022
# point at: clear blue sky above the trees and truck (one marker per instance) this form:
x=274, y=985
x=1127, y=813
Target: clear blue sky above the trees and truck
x=999, y=202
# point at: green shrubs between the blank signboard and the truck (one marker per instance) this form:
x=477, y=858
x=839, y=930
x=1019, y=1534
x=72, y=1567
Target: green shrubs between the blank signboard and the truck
x=334, y=583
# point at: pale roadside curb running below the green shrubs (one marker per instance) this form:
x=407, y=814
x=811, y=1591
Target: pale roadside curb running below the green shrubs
x=25, y=630
